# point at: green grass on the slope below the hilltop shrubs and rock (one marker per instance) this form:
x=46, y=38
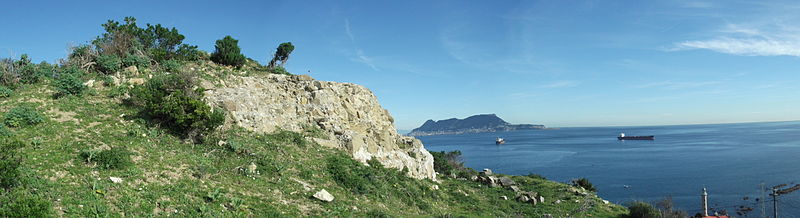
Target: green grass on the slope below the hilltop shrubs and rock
x=168, y=177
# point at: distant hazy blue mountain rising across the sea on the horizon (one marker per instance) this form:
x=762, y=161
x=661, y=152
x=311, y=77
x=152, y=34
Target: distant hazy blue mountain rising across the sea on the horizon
x=473, y=124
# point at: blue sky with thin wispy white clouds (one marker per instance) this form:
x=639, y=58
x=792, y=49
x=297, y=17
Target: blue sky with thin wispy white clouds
x=557, y=63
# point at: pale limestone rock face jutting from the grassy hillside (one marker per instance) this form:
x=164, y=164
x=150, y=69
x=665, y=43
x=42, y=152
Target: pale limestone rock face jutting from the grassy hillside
x=348, y=114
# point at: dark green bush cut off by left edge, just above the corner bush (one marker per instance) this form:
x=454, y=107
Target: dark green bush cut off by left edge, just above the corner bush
x=10, y=163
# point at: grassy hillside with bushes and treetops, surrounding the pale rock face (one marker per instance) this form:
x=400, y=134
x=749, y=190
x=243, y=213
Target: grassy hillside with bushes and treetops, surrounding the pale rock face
x=79, y=139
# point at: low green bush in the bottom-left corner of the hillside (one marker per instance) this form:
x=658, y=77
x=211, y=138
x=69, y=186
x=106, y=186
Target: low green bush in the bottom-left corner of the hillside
x=22, y=203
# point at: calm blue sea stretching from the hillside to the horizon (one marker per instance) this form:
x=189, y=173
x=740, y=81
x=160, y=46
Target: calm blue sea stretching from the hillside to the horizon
x=731, y=160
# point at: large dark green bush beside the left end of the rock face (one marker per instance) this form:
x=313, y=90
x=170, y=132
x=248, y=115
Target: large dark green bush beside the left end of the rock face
x=172, y=100
